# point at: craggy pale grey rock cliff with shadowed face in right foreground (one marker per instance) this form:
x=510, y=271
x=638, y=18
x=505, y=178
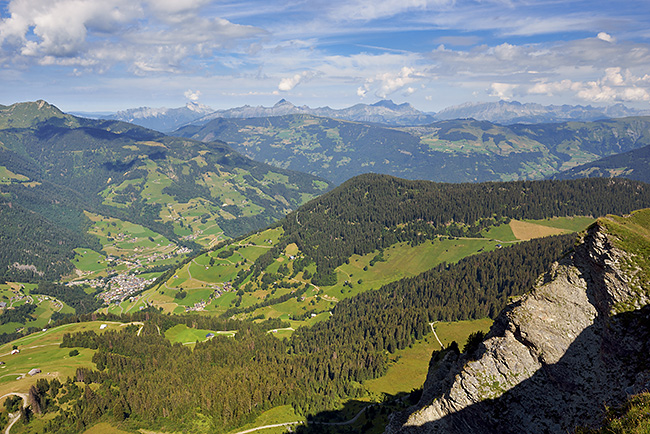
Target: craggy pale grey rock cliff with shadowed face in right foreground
x=555, y=356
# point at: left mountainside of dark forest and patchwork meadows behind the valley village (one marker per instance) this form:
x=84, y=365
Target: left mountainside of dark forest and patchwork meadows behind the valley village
x=58, y=167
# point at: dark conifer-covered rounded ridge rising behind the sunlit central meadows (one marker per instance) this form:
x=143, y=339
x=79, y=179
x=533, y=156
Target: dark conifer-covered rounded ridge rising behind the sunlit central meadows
x=372, y=212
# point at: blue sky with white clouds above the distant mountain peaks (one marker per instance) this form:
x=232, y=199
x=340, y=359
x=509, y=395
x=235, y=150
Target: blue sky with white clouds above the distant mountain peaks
x=109, y=55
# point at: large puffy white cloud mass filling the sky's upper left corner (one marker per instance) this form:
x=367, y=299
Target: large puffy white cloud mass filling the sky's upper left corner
x=146, y=35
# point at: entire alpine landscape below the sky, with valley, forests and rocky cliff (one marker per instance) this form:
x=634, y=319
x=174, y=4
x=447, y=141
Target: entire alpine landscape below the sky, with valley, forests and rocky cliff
x=160, y=283
